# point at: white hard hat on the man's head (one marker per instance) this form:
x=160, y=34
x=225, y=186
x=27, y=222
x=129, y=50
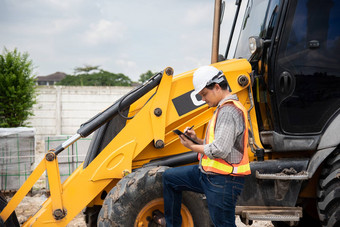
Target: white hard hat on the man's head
x=203, y=75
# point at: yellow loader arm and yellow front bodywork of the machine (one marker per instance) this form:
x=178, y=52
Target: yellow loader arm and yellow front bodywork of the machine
x=131, y=148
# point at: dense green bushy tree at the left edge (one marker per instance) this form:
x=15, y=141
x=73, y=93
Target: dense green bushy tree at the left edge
x=17, y=88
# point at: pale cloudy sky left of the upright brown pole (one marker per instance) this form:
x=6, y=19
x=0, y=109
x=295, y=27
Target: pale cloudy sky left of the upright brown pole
x=121, y=36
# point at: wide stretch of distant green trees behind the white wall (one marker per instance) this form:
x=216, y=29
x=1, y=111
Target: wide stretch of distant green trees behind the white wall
x=101, y=78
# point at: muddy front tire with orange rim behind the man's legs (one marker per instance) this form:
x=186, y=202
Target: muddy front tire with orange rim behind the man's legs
x=135, y=197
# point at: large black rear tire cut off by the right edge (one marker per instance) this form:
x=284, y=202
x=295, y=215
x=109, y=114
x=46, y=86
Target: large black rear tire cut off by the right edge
x=329, y=192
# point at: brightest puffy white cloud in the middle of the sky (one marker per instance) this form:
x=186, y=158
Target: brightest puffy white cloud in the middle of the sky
x=105, y=31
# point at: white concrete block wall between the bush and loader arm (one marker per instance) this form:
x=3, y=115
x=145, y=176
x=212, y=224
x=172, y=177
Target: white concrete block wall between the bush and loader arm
x=60, y=110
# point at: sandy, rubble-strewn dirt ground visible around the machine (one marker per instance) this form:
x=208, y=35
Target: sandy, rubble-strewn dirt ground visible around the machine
x=31, y=204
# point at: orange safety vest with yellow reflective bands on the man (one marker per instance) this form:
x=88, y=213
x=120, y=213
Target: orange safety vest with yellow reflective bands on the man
x=218, y=165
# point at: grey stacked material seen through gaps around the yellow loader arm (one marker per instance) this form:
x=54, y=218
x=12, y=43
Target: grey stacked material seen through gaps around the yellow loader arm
x=71, y=157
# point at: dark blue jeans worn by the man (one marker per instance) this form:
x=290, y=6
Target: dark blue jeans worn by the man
x=221, y=192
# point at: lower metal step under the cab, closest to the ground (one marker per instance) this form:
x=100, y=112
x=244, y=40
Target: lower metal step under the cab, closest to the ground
x=286, y=214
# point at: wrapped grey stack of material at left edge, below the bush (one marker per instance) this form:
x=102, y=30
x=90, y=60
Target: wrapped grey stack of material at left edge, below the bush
x=17, y=148
